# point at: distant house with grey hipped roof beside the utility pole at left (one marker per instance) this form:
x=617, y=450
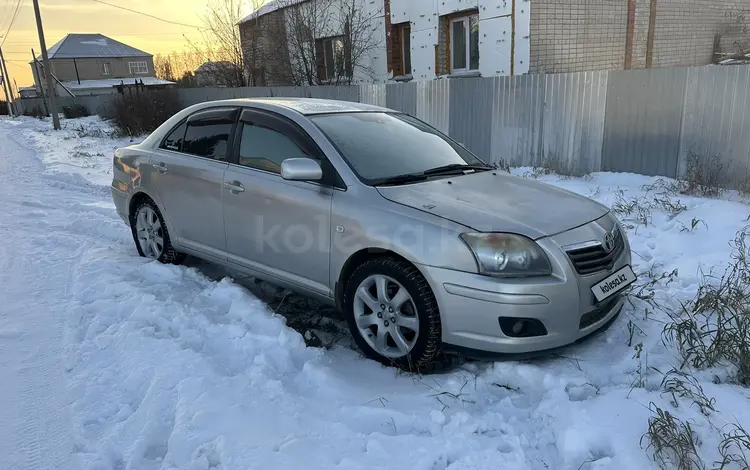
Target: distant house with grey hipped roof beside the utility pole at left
x=92, y=64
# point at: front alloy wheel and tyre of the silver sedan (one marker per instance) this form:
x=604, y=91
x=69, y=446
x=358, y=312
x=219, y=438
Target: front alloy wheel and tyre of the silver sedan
x=392, y=314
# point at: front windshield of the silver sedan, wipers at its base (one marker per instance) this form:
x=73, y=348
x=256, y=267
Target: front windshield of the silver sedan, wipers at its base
x=379, y=146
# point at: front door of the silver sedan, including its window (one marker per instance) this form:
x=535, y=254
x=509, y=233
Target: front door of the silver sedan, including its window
x=279, y=227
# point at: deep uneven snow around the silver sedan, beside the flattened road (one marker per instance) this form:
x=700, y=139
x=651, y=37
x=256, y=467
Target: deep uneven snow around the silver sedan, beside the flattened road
x=171, y=370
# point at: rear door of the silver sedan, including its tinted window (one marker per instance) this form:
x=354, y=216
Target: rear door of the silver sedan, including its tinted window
x=188, y=172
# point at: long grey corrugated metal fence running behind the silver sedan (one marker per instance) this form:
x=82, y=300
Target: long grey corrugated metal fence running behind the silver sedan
x=643, y=121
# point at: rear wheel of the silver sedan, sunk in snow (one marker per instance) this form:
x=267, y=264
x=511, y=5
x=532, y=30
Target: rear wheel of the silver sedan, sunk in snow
x=151, y=235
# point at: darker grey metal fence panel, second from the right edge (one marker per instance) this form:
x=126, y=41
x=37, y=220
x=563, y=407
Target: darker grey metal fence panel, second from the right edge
x=644, y=119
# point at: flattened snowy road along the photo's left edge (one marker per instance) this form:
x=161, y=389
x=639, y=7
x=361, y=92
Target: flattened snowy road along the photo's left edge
x=36, y=273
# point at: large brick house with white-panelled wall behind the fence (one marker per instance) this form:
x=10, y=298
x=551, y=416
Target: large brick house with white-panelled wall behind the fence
x=428, y=39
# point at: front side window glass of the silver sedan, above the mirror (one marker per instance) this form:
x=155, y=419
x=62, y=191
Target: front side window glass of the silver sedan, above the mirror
x=265, y=149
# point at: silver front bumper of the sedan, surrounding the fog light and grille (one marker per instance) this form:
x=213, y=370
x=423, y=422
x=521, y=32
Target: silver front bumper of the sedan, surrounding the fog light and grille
x=473, y=306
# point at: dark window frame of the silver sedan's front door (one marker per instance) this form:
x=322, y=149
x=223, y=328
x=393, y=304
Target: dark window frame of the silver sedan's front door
x=287, y=127
